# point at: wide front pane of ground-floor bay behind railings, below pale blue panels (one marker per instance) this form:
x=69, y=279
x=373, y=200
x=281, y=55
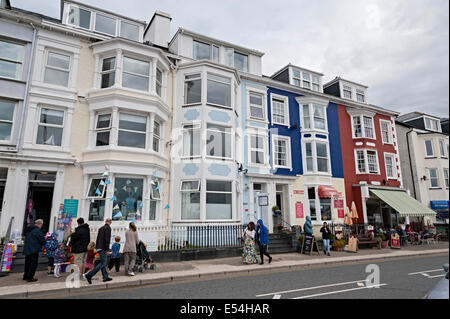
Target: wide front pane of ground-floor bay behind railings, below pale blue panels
x=218, y=200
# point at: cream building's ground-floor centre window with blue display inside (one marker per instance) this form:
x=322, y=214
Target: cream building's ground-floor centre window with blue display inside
x=128, y=195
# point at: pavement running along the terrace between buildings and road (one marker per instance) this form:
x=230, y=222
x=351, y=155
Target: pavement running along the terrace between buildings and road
x=13, y=286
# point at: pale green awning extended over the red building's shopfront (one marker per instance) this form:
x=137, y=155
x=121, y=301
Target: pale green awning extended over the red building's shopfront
x=404, y=204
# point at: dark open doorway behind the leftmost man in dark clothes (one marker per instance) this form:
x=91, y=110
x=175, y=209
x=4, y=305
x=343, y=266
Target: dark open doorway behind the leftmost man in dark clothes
x=40, y=199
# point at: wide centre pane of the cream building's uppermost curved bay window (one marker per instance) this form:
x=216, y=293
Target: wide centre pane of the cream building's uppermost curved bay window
x=135, y=74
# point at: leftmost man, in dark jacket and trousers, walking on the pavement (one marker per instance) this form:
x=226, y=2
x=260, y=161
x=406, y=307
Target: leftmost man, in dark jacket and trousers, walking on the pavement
x=34, y=241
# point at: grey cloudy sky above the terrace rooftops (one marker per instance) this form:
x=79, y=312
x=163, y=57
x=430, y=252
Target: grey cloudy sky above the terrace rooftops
x=399, y=48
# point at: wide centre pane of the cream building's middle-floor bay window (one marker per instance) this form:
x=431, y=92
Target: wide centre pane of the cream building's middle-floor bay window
x=132, y=130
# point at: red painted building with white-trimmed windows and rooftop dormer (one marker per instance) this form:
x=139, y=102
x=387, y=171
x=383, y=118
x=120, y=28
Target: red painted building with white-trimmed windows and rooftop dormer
x=369, y=153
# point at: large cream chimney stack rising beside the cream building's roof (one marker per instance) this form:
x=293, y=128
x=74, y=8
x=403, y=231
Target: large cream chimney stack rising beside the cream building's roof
x=158, y=30
